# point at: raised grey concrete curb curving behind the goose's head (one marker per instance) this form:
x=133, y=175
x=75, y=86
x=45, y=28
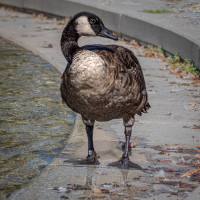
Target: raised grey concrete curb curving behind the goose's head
x=146, y=32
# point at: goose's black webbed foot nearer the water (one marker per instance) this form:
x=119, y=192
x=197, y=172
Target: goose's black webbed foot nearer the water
x=91, y=159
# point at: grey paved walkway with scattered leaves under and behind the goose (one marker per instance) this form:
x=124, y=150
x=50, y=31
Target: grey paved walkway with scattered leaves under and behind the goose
x=166, y=138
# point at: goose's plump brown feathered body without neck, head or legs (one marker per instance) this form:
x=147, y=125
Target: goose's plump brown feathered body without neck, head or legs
x=104, y=84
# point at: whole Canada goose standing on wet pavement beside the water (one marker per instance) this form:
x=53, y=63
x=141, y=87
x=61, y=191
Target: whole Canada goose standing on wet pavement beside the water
x=101, y=82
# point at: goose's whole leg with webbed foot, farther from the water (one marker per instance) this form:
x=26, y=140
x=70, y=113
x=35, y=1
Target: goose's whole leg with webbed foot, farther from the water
x=124, y=162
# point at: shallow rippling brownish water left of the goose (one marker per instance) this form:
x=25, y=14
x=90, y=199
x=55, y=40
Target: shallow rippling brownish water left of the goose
x=34, y=124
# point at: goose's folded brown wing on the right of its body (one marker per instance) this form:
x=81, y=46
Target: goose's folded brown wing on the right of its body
x=128, y=72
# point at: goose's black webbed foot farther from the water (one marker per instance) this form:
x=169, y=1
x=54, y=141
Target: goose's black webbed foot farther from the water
x=125, y=163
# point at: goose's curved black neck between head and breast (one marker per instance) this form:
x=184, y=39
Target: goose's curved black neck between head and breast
x=69, y=45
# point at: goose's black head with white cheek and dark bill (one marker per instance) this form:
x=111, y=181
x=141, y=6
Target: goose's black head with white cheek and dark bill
x=88, y=24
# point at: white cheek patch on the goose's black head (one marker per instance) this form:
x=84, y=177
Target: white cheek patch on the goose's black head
x=83, y=27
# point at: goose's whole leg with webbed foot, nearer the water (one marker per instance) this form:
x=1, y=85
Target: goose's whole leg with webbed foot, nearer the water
x=92, y=158
